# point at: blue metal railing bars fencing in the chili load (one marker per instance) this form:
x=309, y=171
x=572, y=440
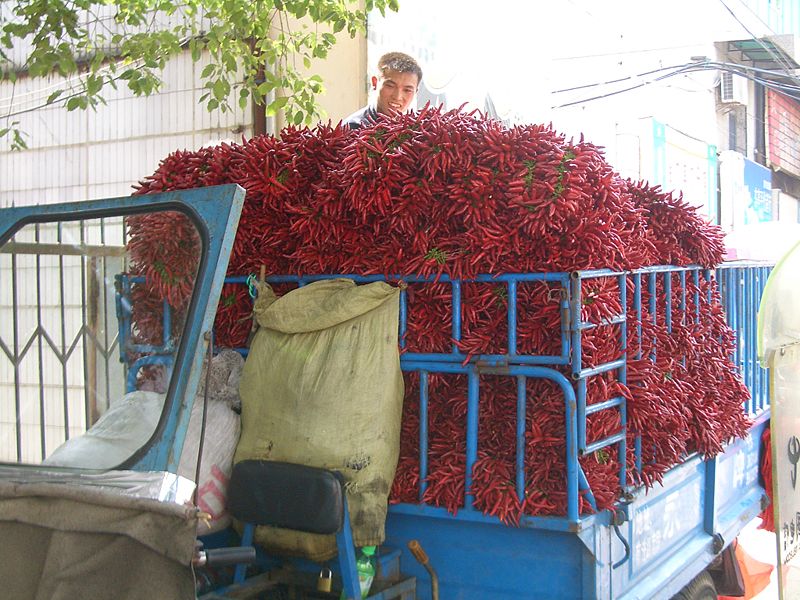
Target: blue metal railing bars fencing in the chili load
x=740, y=288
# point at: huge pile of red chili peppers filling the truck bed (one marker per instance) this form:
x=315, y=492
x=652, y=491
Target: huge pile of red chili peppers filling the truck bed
x=452, y=192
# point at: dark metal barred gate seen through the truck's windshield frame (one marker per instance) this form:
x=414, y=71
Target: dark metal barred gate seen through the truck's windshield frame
x=33, y=444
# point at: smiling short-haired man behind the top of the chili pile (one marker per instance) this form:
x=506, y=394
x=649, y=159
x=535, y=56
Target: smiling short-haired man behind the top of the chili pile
x=397, y=83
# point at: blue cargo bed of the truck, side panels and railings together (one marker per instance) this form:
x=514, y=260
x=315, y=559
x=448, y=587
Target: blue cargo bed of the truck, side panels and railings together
x=659, y=539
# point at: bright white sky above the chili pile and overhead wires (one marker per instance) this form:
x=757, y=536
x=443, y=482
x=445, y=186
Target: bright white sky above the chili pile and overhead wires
x=521, y=51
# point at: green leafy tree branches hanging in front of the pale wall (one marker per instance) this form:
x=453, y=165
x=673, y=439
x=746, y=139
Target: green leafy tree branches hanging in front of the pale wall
x=252, y=49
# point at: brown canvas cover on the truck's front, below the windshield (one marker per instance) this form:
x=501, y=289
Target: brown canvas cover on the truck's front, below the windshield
x=62, y=542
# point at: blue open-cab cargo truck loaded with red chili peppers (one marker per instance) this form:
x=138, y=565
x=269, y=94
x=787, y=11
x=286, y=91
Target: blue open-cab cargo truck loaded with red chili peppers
x=130, y=529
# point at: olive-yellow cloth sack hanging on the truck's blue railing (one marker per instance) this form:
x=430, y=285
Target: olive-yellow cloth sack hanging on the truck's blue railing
x=322, y=387
